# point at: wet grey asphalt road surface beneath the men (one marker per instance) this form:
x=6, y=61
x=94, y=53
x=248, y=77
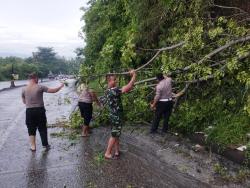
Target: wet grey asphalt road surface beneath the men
x=74, y=163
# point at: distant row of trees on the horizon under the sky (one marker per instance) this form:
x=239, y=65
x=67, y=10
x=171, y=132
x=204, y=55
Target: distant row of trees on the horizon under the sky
x=42, y=62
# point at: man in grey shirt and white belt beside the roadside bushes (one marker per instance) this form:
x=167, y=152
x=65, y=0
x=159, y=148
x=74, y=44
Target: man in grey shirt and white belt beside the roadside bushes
x=163, y=102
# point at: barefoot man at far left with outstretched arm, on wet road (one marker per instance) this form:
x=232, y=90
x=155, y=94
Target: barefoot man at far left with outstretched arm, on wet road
x=32, y=96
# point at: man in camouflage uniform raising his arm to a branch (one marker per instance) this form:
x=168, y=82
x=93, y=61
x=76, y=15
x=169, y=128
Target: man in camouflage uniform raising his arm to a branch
x=114, y=103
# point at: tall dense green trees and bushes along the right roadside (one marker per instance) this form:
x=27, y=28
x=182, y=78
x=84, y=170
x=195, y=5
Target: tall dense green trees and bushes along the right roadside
x=211, y=64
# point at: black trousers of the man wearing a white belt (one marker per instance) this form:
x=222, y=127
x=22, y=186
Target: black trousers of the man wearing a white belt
x=162, y=109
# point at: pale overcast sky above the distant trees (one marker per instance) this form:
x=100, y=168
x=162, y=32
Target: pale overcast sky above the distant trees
x=27, y=24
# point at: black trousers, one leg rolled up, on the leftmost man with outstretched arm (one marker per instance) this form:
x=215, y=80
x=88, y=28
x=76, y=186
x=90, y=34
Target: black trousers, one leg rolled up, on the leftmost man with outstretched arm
x=36, y=119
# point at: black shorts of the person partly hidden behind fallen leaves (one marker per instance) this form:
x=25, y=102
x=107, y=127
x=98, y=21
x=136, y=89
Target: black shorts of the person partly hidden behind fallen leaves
x=86, y=110
